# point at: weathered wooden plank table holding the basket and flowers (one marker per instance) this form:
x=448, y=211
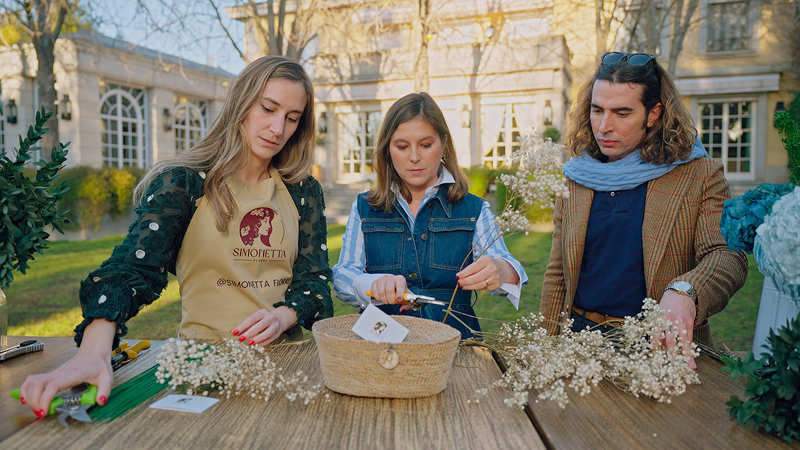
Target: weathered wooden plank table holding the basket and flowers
x=607, y=418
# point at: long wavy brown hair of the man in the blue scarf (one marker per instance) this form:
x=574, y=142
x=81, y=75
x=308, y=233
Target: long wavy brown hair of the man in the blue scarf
x=669, y=139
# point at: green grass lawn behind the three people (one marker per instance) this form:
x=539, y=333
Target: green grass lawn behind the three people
x=44, y=301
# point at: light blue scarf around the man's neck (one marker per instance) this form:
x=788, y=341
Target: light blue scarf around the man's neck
x=623, y=174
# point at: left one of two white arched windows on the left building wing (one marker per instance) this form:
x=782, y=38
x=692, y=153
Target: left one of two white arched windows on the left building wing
x=123, y=122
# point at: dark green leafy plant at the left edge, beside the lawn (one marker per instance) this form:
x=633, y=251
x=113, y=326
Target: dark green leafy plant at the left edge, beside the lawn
x=27, y=203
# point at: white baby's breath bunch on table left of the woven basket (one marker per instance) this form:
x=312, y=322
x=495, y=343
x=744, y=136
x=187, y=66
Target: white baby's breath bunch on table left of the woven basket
x=231, y=368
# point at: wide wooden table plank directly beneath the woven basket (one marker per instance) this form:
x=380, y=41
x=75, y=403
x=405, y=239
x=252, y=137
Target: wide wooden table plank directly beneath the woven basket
x=442, y=421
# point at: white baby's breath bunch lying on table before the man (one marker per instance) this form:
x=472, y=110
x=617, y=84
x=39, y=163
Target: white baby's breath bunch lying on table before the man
x=631, y=356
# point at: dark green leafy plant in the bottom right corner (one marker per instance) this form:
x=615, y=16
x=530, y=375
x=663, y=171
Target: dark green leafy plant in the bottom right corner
x=772, y=385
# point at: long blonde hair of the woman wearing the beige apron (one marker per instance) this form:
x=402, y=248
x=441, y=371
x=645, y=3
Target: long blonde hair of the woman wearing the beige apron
x=223, y=150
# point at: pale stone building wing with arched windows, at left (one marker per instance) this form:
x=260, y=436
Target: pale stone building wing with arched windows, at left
x=119, y=105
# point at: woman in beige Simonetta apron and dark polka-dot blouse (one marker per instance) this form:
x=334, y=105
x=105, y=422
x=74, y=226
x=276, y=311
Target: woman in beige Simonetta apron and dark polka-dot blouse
x=197, y=215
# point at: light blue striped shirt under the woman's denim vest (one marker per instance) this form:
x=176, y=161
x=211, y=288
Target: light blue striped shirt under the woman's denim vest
x=350, y=281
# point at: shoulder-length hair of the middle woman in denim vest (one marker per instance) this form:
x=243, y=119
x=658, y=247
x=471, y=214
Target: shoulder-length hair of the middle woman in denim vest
x=382, y=196
